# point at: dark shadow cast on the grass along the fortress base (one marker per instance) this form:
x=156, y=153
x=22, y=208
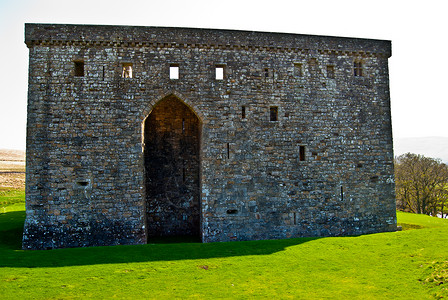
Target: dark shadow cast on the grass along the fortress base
x=12, y=256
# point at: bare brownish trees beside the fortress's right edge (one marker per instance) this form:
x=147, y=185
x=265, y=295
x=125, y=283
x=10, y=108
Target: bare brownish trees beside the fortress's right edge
x=421, y=185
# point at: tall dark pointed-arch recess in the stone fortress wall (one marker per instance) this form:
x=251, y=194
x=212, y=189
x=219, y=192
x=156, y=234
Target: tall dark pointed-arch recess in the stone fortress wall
x=172, y=164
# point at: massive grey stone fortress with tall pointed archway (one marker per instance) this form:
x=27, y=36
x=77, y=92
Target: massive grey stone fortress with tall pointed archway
x=142, y=132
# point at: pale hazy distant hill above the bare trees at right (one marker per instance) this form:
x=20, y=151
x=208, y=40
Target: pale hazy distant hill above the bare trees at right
x=434, y=147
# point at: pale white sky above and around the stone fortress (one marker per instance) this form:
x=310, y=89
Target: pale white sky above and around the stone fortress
x=417, y=29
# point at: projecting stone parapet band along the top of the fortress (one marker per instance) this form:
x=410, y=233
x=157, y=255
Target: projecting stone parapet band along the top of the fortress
x=36, y=34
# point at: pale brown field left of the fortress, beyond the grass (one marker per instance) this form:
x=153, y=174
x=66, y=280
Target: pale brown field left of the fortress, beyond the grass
x=12, y=169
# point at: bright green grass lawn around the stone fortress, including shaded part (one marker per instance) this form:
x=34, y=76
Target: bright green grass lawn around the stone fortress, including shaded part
x=410, y=264
